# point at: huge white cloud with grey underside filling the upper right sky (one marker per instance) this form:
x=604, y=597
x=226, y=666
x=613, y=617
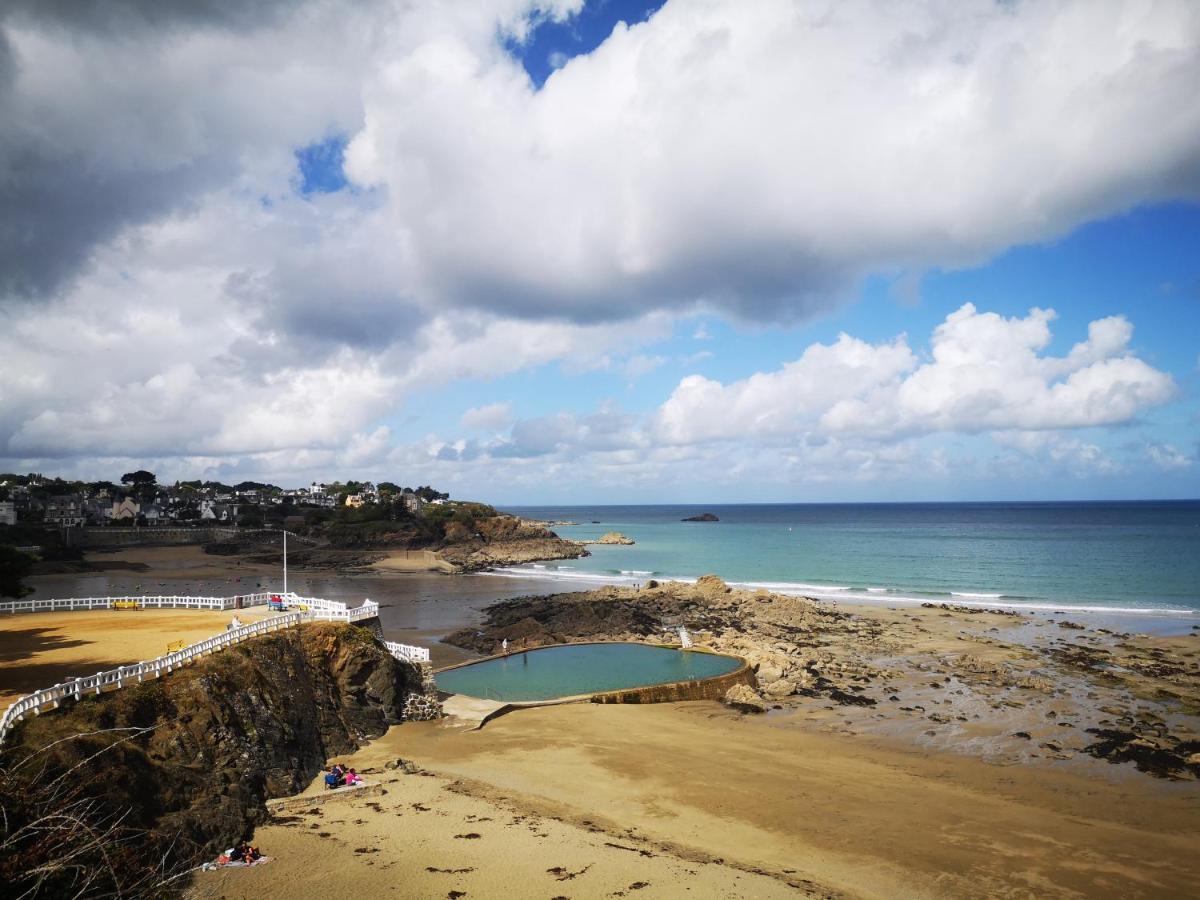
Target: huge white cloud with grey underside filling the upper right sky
x=759, y=157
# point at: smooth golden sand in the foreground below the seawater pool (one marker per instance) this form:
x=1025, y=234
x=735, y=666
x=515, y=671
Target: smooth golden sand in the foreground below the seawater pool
x=695, y=800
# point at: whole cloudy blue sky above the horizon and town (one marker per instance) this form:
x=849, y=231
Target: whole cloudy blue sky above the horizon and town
x=608, y=251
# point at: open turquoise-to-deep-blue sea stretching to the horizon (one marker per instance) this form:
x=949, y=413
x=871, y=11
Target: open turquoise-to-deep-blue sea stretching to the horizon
x=1135, y=557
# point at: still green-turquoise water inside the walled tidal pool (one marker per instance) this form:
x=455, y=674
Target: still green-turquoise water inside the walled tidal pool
x=580, y=669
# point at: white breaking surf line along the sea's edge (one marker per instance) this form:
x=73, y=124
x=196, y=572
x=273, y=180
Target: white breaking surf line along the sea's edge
x=839, y=593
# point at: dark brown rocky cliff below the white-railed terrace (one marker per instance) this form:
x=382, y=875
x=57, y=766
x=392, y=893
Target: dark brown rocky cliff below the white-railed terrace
x=189, y=761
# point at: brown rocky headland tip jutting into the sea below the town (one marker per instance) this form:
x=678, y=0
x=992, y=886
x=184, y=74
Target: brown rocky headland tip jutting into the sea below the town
x=505, y=541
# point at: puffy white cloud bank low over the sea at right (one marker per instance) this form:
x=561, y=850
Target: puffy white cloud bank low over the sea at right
x=986, y=375
